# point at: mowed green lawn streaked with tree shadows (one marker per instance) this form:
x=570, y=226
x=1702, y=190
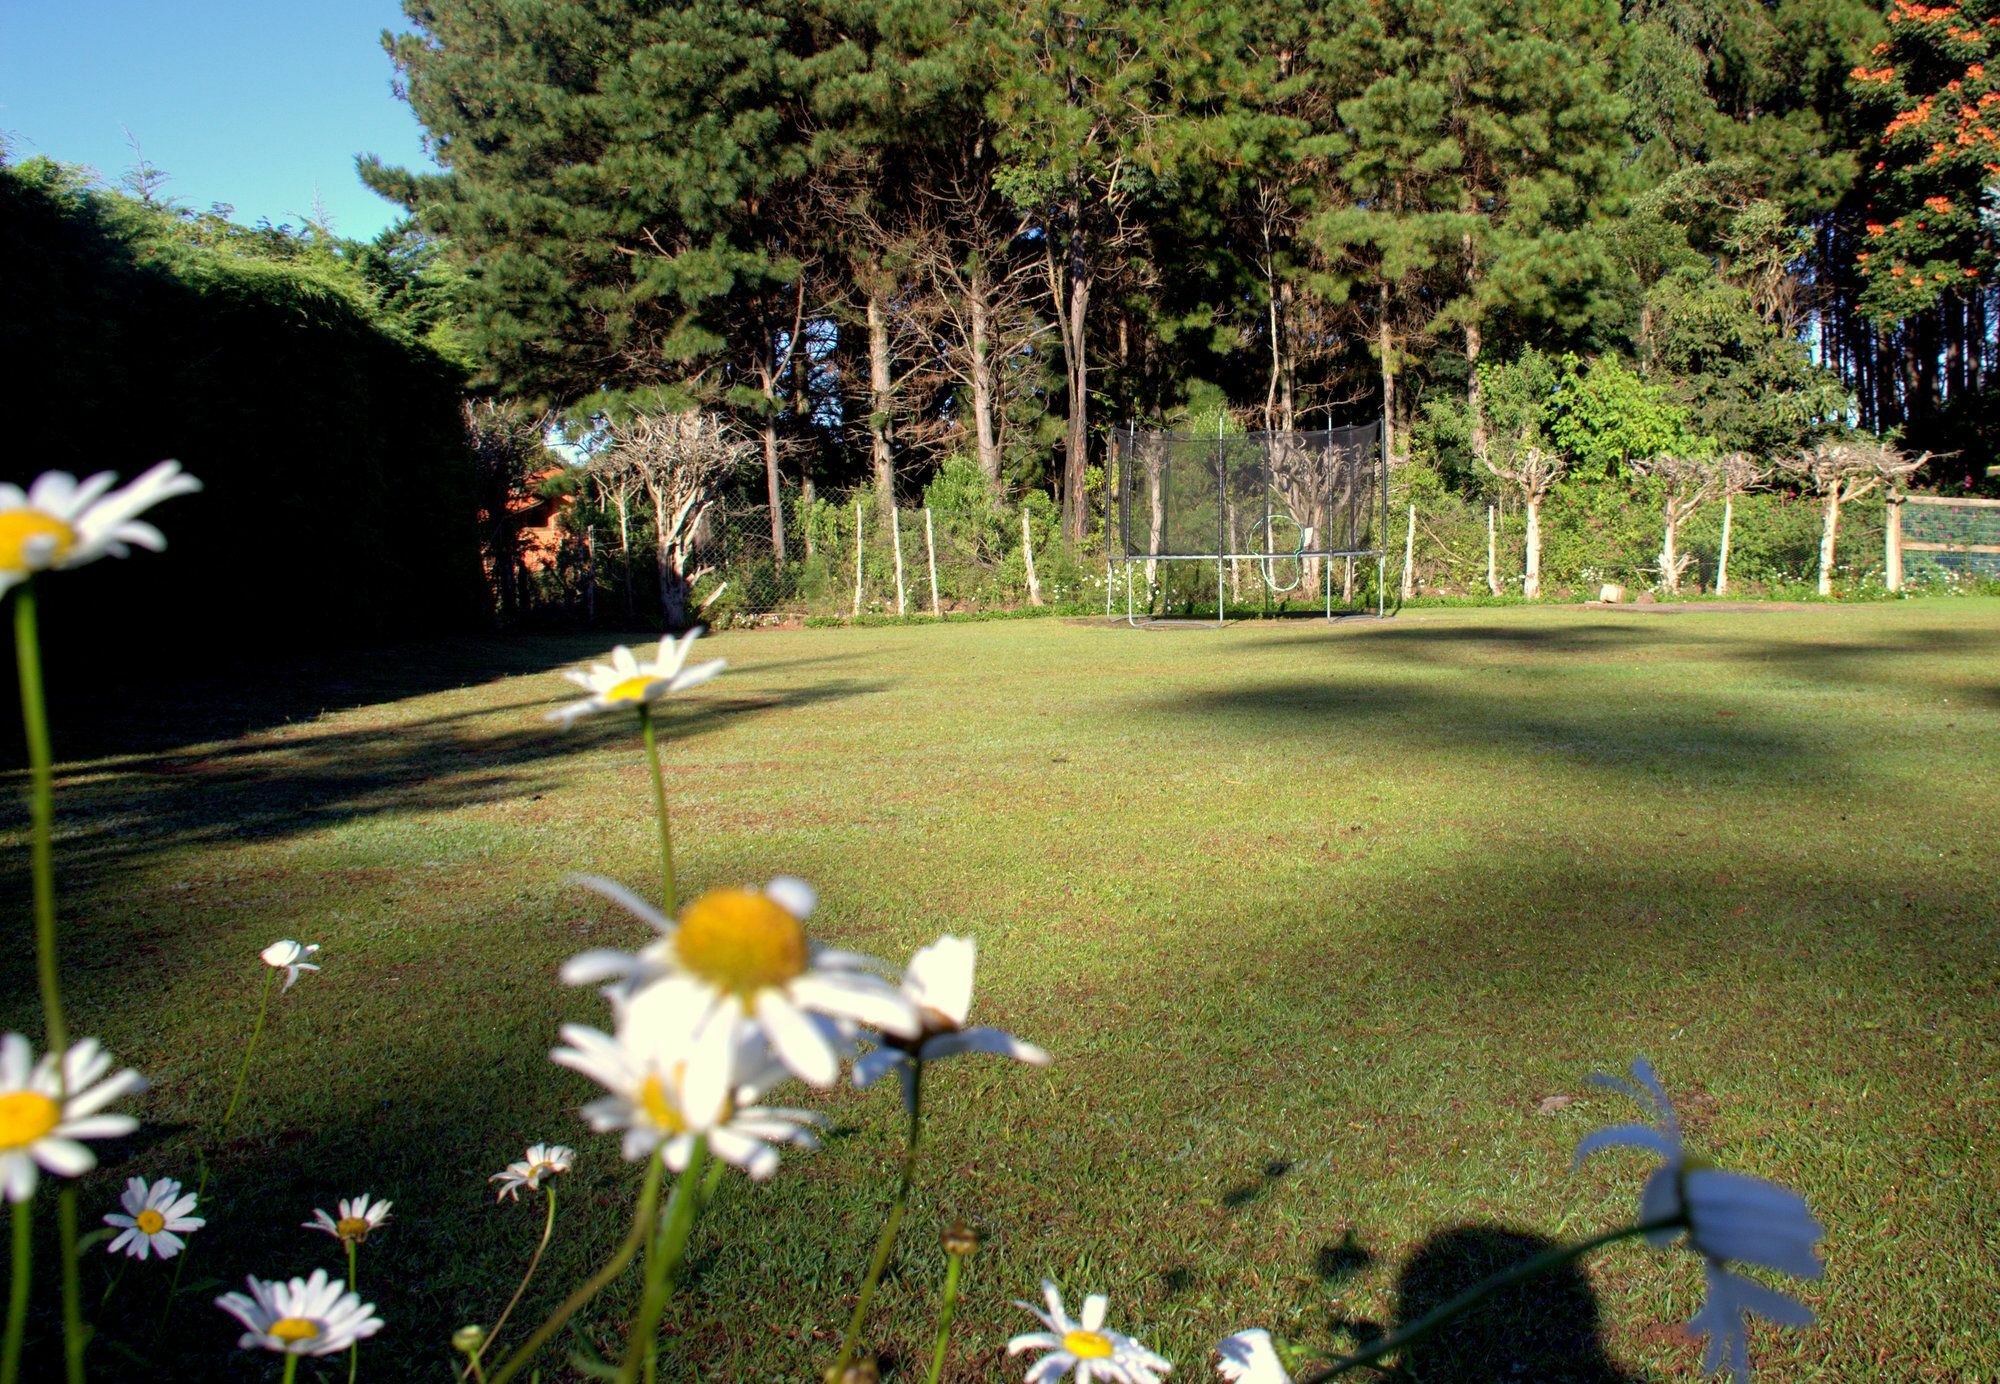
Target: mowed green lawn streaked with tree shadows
x=1313, y=917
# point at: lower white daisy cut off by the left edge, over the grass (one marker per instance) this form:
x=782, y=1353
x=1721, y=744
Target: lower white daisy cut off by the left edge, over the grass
x=45, y=1115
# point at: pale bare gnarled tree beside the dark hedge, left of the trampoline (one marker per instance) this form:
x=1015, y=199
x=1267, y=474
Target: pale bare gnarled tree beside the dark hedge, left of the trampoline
x=679, y=461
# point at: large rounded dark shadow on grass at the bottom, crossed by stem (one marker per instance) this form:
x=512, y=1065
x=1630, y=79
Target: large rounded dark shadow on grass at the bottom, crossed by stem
x=1545, y=1329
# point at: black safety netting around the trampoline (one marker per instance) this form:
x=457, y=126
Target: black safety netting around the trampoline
x=1273, y=497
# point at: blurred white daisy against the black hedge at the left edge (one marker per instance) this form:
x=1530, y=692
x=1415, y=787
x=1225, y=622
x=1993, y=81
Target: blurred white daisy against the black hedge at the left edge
x=65, y=523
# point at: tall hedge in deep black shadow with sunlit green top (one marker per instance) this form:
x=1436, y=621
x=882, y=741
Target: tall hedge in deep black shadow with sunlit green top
x=289, y=371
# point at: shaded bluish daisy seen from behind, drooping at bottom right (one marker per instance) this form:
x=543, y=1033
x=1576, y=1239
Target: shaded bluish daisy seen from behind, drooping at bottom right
x=1729, y=1219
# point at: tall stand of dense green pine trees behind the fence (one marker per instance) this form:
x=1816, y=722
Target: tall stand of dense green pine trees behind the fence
x=889, y=233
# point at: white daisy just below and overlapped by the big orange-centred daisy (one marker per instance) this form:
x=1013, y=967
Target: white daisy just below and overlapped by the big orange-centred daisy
x=671, y=1081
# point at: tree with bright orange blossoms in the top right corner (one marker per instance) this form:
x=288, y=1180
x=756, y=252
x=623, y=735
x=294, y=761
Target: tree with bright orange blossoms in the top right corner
x=1937, y=85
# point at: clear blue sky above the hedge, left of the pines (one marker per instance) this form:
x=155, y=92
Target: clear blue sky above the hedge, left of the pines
x=253, y=103
